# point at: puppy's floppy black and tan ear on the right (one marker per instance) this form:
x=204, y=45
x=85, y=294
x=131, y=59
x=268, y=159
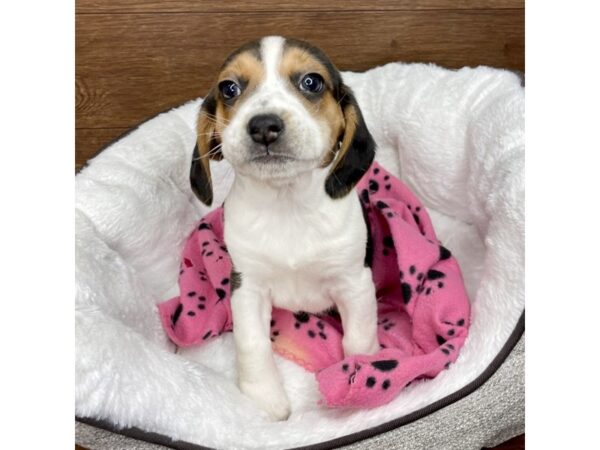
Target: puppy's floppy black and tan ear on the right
x=357, y=148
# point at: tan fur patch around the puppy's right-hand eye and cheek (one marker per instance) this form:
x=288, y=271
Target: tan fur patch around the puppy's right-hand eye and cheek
x=326, y=108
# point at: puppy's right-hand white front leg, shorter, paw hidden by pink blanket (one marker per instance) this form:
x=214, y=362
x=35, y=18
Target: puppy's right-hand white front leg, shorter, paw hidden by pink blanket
x=357, y=304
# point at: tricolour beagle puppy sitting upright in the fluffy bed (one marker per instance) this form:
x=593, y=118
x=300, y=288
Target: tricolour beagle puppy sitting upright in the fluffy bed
x=294, y=225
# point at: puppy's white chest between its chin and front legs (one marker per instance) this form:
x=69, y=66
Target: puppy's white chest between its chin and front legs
x=295, y=258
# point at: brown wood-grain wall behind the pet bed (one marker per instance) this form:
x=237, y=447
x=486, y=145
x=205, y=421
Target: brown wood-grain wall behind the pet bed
x=135, y=58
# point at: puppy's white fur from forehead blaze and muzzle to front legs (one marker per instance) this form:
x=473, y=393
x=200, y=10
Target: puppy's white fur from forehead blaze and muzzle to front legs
x=294, y=246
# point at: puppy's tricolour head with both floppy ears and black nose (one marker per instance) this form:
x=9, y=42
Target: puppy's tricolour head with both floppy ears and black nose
x=279, y=108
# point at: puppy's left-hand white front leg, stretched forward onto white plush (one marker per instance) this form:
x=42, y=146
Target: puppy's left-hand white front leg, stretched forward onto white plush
x=258, y=377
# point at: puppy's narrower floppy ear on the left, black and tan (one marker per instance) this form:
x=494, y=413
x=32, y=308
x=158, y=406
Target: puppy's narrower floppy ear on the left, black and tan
x=207, y=147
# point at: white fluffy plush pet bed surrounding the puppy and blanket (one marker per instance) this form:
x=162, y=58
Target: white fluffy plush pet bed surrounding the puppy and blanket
x=455, y=137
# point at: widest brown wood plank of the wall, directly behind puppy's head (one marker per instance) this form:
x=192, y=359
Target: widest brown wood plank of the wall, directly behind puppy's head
x=130, y=66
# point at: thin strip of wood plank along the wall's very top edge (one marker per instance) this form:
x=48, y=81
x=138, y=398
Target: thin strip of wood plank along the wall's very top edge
x=125, y=6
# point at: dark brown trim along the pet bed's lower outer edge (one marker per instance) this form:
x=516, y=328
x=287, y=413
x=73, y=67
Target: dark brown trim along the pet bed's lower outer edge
x=160, y=439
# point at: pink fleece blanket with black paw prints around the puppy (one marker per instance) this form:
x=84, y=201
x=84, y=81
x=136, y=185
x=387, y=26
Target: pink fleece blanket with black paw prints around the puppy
x=423, y=308
